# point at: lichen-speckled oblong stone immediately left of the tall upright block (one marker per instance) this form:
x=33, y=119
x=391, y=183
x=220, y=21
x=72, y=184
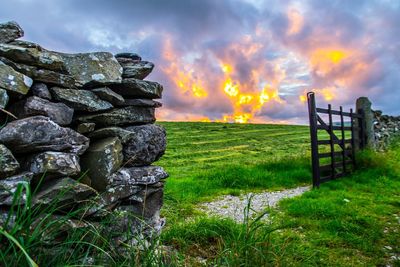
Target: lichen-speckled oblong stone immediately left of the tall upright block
x=54, y=163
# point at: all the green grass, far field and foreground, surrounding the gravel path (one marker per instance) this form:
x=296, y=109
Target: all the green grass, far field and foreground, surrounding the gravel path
x=353, y=221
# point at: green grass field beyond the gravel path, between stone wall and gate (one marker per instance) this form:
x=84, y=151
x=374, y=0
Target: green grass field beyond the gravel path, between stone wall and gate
x=209, y=159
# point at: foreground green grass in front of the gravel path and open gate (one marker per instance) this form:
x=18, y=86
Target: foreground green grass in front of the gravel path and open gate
x=354, y=221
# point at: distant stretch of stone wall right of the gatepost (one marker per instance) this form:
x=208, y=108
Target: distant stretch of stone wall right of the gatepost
x=385, y=128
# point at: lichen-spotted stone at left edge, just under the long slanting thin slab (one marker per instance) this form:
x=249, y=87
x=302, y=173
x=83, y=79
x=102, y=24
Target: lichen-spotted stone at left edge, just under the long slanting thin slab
x=13, y=81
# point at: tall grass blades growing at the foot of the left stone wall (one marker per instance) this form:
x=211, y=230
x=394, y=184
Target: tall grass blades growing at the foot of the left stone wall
x=42, y=236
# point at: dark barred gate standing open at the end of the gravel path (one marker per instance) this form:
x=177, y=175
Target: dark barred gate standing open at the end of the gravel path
x=339, y=149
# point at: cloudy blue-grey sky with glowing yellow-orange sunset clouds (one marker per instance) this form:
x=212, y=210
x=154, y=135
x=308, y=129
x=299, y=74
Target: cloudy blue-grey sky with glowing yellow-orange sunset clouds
x=236, y=60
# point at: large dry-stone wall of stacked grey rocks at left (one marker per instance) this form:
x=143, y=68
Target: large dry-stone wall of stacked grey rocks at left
x=81, y=124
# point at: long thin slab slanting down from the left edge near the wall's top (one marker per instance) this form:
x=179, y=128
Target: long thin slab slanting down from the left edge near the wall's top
x=43, y=75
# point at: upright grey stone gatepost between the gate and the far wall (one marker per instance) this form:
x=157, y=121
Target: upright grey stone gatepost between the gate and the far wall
x=363, y=106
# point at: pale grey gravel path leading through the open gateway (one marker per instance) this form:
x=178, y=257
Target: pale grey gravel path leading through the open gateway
x=233, y=207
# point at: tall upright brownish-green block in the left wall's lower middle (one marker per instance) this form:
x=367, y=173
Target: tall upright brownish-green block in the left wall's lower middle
x=102, y=159
